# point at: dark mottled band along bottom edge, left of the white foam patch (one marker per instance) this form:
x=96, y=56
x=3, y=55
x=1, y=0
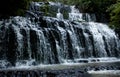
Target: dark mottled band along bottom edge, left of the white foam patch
x=40, y=73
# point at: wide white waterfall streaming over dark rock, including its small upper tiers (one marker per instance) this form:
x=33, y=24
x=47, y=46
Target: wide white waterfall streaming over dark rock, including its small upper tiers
x=28, y=41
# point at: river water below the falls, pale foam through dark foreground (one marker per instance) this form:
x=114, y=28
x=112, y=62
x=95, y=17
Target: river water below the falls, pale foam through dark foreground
x=107, y=69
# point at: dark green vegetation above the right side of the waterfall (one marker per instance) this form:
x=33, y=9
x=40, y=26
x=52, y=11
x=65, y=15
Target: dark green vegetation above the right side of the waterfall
x=105, y=10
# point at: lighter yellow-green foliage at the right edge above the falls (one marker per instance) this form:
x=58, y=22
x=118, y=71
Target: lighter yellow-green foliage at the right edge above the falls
x=115, y=15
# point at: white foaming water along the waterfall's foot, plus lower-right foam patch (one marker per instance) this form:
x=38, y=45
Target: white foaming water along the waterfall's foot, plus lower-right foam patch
x=102, y=61
